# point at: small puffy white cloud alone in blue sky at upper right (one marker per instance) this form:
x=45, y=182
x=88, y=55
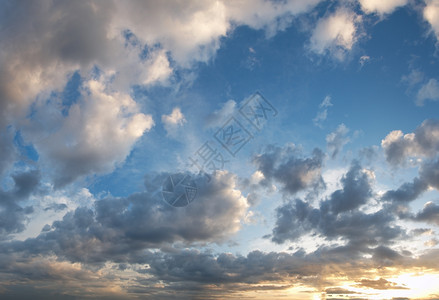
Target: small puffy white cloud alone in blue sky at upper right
x=335, y=34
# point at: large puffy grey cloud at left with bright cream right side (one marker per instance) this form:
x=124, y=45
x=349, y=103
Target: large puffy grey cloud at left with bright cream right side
x=79, y=144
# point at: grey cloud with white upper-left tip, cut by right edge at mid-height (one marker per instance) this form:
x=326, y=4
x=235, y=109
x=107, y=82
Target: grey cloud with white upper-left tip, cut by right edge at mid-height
x=423, y=142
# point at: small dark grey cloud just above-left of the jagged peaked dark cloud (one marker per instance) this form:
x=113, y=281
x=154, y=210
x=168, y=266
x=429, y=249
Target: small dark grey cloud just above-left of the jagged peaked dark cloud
x=287, y=166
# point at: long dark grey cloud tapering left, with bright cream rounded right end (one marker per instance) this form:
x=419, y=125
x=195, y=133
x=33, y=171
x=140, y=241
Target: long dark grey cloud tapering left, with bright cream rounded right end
x=116, y=227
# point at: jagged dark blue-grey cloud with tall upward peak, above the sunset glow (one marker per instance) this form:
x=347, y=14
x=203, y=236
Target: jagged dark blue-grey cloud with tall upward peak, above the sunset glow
x=339, y=216
